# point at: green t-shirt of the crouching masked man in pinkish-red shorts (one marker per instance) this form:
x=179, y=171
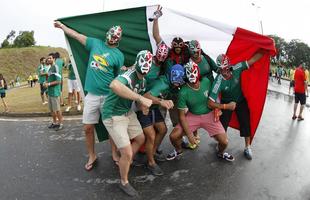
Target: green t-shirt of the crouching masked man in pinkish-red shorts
x=196, y=100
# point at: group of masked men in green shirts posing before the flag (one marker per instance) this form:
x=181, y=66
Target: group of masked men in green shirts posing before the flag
x=133, y=101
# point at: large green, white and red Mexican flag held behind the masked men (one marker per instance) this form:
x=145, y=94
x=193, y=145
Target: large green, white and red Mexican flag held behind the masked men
x=215, y=38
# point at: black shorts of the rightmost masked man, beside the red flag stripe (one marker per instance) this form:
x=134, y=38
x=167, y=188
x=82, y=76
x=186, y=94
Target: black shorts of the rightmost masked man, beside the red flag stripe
x=243, y=115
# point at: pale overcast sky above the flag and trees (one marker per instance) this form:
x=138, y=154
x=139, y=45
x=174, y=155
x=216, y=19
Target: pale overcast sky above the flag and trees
x=287, y=19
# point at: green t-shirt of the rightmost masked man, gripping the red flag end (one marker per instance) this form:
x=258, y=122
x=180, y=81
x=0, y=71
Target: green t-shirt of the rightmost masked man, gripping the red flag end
x=230, y=89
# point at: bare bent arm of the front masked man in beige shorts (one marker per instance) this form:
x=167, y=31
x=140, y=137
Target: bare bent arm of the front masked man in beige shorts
x=121, y=90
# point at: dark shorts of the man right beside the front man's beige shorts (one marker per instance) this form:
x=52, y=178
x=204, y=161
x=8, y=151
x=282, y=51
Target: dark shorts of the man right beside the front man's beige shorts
x=154, y=116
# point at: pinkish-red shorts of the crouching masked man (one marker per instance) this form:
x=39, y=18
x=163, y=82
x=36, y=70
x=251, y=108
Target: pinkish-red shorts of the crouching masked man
x=205, y=121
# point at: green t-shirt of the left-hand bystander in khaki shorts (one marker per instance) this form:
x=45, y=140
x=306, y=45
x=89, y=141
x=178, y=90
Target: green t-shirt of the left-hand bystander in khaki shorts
x=54, y=75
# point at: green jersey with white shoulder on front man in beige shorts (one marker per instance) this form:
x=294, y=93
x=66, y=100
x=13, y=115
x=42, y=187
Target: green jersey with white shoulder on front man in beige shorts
x=115, y=105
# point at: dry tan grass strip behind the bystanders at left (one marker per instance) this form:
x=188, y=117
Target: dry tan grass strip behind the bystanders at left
x=28, y=100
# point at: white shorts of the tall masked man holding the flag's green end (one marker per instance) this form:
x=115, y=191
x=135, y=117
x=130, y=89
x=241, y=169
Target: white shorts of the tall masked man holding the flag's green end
x=92, y=108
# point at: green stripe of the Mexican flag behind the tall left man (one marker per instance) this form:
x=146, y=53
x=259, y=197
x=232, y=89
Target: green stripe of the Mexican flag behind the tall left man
x=135, y=38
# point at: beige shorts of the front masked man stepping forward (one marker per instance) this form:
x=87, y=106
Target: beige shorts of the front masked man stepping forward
x=123, y=128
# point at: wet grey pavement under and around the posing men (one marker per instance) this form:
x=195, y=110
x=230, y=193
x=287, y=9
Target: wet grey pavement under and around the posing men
x=38, y=163
